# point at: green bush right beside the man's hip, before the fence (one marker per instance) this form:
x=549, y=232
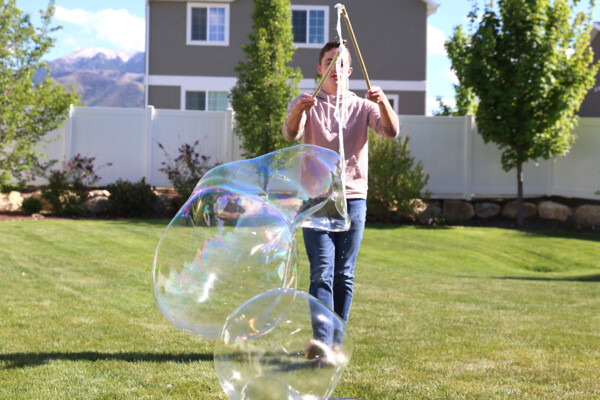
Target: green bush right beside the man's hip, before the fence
x=395, y=179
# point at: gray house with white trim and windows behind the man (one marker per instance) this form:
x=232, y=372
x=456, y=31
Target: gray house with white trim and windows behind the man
x=192, y=48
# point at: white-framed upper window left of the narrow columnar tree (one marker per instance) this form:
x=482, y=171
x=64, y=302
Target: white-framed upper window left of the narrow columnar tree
x=208, y=24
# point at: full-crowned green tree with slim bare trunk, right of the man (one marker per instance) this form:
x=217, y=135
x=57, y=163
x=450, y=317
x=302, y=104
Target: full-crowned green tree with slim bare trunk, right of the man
x=530, y=64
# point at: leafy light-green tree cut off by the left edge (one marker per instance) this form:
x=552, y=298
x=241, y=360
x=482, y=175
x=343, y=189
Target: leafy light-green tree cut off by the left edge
x=27, y=110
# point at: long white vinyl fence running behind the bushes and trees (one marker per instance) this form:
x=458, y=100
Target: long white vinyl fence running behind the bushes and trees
x=459, y=164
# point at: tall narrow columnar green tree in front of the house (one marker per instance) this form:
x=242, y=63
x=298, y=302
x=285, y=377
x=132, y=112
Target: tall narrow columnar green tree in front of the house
x=265, y=83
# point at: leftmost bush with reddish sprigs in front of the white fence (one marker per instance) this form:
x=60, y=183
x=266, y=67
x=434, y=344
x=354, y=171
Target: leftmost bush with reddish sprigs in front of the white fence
x=66, y=191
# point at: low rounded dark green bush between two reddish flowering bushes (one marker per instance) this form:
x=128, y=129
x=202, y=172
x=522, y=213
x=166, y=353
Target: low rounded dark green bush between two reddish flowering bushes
x=131, y=199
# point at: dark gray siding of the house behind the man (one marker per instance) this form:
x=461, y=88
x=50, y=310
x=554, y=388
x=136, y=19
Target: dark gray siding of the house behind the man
x=392, y=36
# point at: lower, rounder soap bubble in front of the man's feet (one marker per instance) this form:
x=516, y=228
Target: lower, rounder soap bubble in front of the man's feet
x=268, y=346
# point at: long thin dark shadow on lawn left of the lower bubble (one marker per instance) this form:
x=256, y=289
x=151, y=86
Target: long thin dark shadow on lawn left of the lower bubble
x=20, y=360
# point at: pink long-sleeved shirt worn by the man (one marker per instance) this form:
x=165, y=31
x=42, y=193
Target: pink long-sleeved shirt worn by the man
x=321, y=129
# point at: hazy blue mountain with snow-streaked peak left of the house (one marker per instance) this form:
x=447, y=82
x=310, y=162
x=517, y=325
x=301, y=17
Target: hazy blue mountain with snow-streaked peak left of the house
x=108, y=78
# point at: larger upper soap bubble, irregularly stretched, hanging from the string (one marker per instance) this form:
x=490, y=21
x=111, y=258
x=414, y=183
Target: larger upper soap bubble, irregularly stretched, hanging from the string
x=235, y=236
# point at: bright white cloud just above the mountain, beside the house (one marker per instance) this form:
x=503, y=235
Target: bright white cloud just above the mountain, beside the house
x=117, y=27
